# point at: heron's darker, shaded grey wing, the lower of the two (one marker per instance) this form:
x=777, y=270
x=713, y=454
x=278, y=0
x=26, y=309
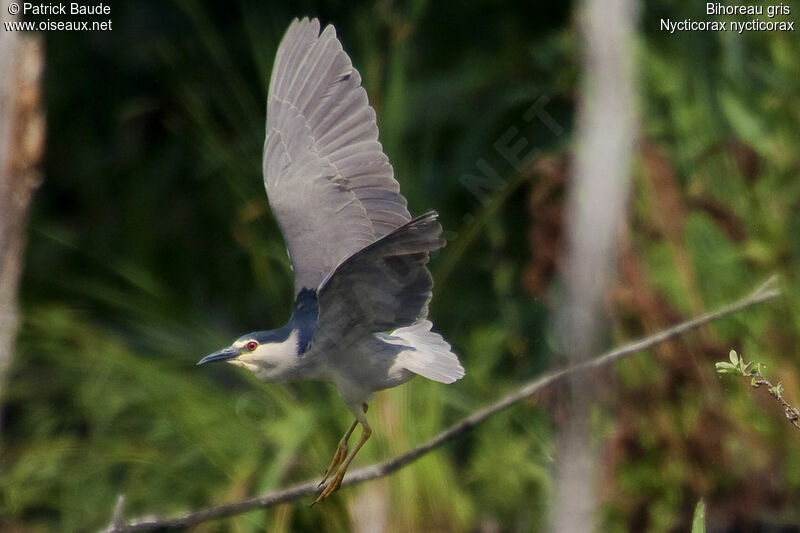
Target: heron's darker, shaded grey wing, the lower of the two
x=383, y=287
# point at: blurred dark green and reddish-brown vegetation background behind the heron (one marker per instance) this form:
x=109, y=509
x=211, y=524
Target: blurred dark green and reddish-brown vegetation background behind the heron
x=151, y=244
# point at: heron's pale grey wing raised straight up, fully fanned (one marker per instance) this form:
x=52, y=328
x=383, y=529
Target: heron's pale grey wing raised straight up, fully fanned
x=329, y=183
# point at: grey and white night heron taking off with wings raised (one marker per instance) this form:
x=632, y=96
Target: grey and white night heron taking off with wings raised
x=360, y=278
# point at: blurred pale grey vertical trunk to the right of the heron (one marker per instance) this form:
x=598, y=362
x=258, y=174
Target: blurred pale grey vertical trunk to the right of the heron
x=598, y=193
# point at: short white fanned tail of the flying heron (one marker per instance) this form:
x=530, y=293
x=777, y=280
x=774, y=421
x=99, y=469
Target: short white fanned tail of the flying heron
x=427, y=353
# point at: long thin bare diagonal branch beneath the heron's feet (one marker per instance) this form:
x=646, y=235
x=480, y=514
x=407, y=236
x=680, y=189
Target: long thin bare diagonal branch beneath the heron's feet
x=768, y=291
